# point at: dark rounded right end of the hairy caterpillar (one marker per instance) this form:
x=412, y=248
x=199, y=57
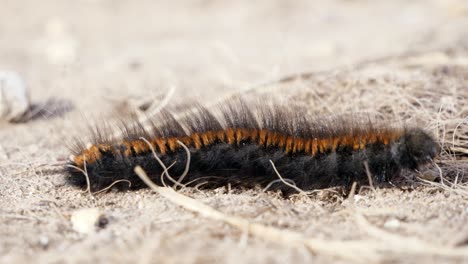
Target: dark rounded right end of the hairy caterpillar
x=416, y=148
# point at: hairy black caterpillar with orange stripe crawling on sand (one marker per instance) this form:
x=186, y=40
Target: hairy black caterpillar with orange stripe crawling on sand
x=238, y=144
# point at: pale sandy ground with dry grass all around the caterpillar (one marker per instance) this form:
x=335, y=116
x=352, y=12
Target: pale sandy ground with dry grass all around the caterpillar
x=404, y=60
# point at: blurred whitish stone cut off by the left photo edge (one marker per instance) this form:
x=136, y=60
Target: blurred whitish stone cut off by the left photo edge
x=14, y=96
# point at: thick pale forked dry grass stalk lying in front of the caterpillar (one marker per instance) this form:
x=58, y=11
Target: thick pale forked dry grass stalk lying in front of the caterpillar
x=355, y=251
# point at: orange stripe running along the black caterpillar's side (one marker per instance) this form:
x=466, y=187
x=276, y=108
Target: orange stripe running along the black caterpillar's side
x=290, y=144
